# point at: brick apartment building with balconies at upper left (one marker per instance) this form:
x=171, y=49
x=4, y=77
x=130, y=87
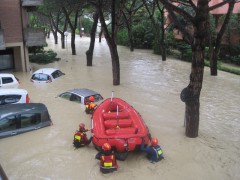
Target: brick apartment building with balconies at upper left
x=16, y=35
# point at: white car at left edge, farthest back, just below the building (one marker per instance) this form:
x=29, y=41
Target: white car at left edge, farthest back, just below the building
x=8, y=81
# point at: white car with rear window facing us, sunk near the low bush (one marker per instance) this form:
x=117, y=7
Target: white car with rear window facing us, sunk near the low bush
x=46, y=75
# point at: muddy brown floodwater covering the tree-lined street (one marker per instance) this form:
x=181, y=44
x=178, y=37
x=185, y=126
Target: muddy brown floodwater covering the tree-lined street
x=152, y=87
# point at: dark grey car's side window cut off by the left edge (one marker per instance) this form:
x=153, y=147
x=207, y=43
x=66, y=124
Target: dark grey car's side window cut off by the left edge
x=8, y=124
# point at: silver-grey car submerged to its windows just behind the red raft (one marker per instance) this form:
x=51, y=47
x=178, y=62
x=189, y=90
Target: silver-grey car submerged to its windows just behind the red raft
x=81, y=95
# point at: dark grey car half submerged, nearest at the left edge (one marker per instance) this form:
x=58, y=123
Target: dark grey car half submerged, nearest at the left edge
x=20, y=118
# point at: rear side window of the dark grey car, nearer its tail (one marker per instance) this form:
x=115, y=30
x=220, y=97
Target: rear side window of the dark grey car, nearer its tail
x=30, y=119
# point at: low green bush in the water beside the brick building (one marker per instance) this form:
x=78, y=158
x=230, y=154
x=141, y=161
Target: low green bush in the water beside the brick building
x=44, y=57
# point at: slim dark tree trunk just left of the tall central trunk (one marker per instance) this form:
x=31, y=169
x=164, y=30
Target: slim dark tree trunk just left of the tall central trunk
x=89, y=52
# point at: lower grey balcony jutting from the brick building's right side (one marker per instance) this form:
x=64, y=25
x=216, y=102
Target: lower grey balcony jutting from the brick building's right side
x=34, y=37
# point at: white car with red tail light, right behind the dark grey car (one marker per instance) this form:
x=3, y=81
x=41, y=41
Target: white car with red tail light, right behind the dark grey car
x=13, y=96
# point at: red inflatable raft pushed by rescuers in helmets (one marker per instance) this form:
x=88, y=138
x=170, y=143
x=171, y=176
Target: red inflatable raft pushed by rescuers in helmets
x=118, y=123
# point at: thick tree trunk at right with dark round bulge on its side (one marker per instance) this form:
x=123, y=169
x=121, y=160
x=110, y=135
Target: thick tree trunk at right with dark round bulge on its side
x=192, y=92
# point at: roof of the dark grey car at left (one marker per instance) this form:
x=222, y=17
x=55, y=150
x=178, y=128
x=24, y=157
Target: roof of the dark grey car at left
x=9, y=109
